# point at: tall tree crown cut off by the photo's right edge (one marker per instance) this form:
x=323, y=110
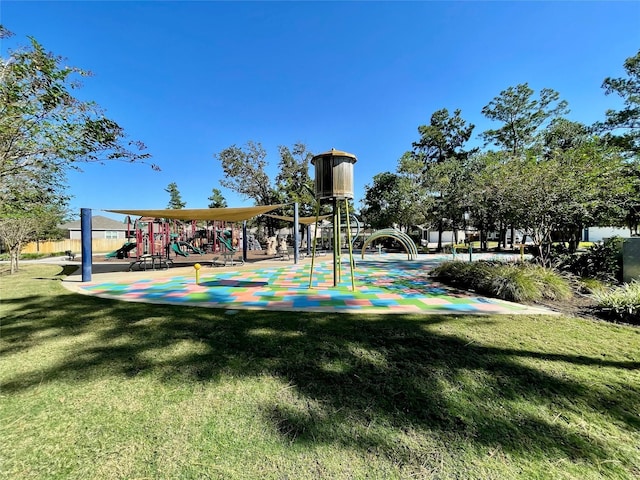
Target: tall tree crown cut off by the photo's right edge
x=627, y=119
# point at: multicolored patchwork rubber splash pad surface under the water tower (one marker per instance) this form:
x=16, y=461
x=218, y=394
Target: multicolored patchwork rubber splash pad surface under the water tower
x=384, y=284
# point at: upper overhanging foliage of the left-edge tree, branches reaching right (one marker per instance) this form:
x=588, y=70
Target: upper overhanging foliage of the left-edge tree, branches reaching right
x=44, y=129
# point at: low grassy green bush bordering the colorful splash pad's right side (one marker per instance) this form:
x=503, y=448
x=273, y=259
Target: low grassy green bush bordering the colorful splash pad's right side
x=519, y=282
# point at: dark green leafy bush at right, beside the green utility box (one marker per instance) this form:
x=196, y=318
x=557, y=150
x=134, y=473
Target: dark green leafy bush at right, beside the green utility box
x=602, y=261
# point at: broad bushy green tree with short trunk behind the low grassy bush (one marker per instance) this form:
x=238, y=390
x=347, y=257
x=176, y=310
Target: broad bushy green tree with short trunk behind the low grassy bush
x=559, y=191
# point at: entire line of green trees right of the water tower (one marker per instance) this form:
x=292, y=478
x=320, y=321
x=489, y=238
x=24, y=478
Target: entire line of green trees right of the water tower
x=538, y=171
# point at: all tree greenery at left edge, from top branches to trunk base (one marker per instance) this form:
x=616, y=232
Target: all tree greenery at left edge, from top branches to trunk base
x=45, y=131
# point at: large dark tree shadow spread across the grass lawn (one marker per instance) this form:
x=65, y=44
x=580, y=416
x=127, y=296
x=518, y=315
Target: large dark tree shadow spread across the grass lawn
x=353, y=370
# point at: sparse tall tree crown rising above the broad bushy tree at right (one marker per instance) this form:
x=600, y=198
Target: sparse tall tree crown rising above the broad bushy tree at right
x=521, y=116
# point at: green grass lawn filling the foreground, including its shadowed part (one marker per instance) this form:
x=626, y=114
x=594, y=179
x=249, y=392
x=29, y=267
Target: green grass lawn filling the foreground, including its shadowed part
x=98, y=389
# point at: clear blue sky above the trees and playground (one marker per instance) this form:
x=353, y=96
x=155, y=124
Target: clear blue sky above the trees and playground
x=192, y=78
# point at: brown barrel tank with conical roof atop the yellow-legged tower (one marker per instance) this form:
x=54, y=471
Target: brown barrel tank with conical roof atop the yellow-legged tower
x=334, y=174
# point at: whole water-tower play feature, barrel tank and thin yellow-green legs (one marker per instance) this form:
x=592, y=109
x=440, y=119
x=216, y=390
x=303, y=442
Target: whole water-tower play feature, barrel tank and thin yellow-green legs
x=334, y=184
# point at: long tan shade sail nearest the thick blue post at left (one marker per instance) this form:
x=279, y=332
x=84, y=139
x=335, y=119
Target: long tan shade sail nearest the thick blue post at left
x=223, y=214
